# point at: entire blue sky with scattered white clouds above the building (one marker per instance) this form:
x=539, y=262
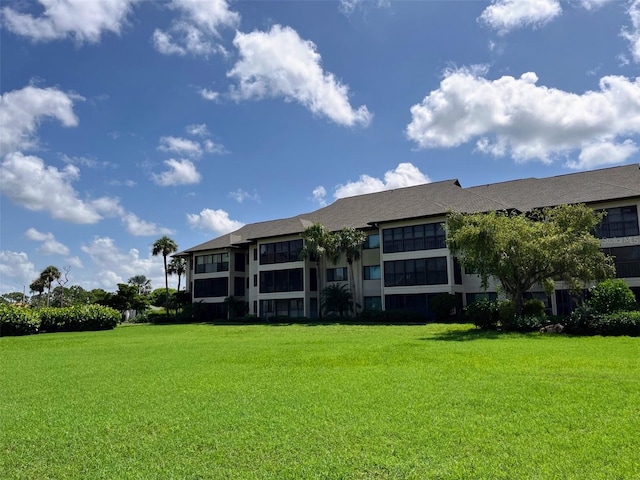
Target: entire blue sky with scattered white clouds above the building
x=122, y=120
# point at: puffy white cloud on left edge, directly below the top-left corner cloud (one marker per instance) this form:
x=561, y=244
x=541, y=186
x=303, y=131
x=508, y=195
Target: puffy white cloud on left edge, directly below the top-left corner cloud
x=23, y=109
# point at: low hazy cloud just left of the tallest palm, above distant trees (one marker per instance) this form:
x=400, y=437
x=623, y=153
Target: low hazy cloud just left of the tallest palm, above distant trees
x=117, y=267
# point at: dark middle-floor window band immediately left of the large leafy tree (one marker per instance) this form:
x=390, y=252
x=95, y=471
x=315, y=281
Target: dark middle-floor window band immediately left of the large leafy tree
x=419, y=271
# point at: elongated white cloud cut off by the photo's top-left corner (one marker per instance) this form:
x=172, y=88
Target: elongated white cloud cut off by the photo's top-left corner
x=84, y=20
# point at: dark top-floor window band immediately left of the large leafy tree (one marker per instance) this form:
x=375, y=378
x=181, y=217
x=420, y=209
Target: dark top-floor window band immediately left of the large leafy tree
x=415, y=237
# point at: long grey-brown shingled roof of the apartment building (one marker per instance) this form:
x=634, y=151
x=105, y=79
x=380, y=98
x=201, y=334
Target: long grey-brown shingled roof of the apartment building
x=435, y=199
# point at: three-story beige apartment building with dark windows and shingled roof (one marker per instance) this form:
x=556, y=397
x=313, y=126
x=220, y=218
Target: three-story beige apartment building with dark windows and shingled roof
x=404, y=261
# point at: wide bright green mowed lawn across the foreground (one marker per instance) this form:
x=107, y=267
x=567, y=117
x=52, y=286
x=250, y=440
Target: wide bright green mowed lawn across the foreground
x=330, y=402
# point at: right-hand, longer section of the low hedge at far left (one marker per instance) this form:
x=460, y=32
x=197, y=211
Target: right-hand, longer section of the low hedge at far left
x=78, y=318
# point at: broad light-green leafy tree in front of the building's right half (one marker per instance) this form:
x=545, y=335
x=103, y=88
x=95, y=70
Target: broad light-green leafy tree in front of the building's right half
x=523, y=250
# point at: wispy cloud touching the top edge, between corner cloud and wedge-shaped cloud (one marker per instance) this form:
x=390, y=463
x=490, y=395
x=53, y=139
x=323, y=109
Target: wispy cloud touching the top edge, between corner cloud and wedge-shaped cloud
x=196, y=31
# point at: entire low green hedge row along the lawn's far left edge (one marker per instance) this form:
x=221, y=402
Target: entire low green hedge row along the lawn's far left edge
x=25, y=321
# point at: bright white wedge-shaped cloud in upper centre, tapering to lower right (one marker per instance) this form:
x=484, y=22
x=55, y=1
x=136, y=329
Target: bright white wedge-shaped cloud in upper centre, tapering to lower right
x=279, y=63
